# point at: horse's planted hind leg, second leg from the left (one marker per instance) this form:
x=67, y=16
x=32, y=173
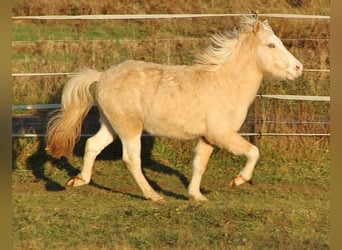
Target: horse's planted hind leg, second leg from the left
x=131, y=156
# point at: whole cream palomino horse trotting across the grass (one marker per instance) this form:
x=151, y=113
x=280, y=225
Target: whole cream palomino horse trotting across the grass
x=208, y=100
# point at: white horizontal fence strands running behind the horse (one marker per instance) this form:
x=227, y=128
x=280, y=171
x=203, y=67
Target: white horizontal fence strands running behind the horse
x=27, y=134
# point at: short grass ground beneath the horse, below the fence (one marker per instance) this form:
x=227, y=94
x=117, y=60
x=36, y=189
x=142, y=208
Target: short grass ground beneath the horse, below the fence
x=287, y=207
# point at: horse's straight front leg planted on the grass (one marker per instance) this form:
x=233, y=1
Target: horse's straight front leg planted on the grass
x=202, y=154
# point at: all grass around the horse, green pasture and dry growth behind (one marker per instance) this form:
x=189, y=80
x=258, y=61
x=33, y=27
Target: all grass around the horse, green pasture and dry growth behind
x=288, y=207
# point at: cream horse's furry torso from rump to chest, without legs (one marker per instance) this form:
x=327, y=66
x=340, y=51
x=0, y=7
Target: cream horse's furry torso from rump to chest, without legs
x=152, y=95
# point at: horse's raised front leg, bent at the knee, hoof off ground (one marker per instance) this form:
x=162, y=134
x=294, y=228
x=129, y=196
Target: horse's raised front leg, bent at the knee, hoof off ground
x=236, y=144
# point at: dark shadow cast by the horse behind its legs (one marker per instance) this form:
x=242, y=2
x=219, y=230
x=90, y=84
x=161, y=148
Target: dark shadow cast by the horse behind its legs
x=36, y=163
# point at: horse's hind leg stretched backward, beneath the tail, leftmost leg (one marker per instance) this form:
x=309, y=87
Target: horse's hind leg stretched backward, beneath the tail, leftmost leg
x=94, y=146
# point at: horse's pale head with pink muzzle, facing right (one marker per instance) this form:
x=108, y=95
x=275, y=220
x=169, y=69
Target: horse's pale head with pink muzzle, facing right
x=271, y=55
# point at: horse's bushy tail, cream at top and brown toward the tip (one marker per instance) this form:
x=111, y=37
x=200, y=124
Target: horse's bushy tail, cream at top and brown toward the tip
x=64, y=126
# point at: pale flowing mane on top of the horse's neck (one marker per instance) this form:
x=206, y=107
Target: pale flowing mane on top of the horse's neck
x=223, y=44
